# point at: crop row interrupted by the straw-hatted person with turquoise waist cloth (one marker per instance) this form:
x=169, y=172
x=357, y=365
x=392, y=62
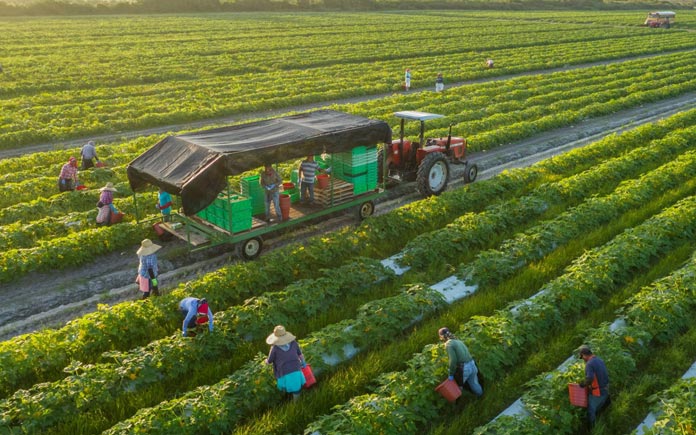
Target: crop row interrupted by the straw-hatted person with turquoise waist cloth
x=198, y=403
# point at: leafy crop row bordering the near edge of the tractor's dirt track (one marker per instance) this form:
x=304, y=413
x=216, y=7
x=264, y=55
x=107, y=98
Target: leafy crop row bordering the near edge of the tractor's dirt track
x=42, y=355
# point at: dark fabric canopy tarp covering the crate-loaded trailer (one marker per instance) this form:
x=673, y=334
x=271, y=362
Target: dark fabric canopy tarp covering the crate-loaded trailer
x=195, y=166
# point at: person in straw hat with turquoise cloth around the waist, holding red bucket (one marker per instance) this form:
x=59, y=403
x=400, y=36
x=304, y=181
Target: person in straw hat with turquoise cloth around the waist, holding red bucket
x=288, y=361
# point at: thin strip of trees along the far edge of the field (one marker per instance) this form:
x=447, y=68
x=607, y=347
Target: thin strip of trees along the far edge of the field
x=67, y=7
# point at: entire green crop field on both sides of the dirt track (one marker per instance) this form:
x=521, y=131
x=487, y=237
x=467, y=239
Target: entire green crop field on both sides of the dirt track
x=593, y=246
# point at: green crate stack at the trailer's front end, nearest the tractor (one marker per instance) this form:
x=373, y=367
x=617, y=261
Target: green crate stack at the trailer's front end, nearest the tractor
x=358, y=167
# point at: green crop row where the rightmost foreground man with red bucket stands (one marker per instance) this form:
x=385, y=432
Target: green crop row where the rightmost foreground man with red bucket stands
x=653, y=316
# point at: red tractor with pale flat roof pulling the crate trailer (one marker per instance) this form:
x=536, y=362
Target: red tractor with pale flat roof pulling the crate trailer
x=427, y=161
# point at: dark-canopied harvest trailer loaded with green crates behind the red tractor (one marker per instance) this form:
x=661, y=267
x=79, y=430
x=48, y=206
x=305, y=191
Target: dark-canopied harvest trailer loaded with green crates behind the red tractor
x=197, y=166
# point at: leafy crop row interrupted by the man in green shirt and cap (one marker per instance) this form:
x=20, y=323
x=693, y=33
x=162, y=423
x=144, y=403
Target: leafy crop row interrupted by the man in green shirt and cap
x=407, y=399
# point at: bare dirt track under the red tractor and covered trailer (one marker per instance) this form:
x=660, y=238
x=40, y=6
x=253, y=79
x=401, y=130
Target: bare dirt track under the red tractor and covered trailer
x=51, y=299
